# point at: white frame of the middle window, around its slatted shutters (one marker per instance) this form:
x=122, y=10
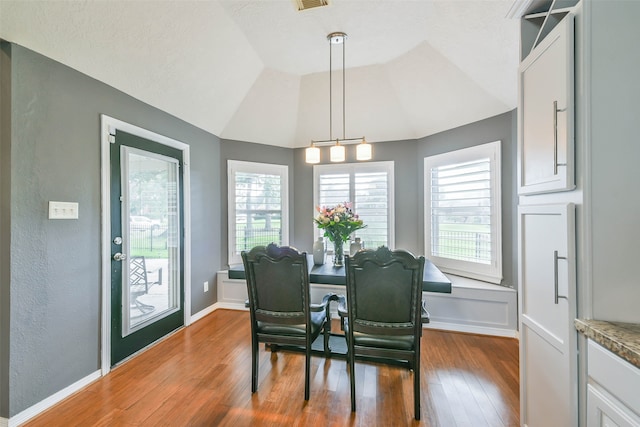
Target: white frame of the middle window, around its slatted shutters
x=352, y=169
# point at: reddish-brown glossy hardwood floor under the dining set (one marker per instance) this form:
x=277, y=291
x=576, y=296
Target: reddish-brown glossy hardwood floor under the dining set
x=201, y=376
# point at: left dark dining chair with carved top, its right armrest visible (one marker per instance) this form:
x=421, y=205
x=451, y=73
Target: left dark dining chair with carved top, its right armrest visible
x=279, y=304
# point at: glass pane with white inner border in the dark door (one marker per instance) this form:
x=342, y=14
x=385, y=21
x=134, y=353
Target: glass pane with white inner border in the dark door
x=150, y=286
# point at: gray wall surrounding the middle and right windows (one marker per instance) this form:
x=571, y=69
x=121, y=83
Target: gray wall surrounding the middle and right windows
x=408, y=157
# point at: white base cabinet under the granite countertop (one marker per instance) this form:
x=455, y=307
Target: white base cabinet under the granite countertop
x=612, y=389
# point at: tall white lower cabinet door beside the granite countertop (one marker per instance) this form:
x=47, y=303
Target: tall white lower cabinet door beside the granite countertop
x=548, y=339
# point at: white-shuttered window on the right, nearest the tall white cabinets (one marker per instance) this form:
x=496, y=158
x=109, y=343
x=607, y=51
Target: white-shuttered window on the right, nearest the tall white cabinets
x=462, y=212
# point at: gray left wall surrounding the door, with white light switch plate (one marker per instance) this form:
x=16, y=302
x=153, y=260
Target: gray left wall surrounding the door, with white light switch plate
x=54, y=278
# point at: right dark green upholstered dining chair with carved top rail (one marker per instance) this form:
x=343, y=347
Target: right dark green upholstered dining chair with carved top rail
x=384, y=304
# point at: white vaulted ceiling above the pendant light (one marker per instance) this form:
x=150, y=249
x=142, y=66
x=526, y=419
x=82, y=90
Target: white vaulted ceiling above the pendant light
x=257, y=70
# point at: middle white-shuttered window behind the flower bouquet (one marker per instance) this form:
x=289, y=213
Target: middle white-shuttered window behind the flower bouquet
x=369, y=187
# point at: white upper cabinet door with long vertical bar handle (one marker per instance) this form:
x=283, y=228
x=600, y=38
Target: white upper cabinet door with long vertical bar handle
x=546, y=114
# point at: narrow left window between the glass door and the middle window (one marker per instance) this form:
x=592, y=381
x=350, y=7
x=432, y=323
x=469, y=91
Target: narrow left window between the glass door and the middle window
x=258, y=206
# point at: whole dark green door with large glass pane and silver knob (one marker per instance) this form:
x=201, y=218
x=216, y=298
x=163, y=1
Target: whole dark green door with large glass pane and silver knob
x=147, y=280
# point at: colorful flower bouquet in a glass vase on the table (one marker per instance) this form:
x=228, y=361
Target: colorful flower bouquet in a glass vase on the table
x=338, y=223
